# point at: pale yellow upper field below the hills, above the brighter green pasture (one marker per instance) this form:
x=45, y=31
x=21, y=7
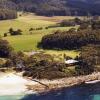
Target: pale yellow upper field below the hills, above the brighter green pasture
x=26, y=22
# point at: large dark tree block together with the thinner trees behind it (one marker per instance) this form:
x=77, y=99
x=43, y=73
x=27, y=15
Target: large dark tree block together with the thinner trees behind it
x=87, y=33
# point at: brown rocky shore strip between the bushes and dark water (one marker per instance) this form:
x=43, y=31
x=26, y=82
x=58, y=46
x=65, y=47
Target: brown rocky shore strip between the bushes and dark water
x=65, y=82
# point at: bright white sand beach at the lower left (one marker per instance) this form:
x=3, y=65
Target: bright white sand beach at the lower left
x=11, y=84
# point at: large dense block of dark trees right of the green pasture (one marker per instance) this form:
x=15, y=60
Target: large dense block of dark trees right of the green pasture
x=70, y=39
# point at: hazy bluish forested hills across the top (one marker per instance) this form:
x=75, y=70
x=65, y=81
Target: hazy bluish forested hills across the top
x=54, y=7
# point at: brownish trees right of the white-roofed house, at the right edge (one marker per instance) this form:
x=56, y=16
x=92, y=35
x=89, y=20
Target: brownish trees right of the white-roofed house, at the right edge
x=89, y=59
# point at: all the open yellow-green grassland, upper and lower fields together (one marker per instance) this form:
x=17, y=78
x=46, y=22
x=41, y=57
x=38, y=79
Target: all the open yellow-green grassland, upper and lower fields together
x=27, y=41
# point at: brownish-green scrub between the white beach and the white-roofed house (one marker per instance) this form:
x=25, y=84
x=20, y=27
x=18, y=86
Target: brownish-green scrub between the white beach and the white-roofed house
x=39, y=65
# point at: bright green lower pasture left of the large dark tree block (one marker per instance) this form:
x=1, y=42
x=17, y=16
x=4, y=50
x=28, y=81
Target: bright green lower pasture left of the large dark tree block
x=24, y=42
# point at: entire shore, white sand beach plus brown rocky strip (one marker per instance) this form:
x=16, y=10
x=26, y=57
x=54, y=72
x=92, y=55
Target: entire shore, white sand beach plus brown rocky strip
x=15, y=84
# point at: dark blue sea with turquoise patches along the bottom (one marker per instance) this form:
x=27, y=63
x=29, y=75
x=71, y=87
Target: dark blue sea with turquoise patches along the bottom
x=81, y=92
